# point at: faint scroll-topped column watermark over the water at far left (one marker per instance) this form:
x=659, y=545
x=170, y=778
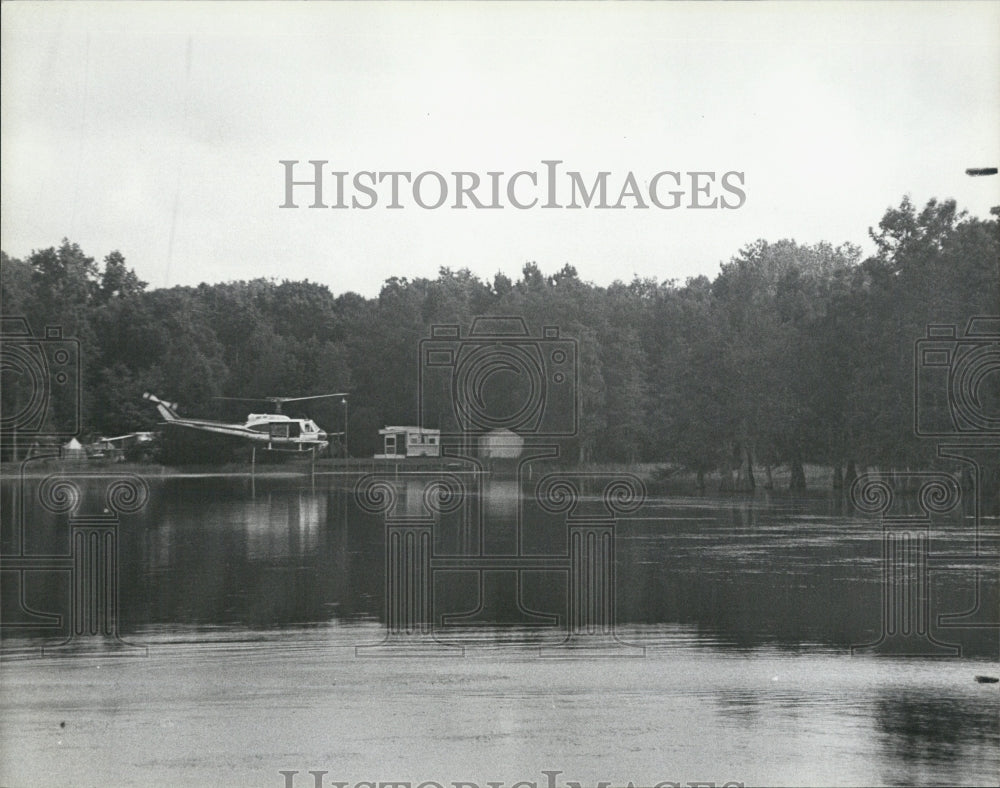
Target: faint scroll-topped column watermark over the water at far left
x=90, y=559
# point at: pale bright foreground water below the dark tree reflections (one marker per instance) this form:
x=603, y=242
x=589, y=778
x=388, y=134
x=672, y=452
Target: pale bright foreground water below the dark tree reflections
x=305, y=700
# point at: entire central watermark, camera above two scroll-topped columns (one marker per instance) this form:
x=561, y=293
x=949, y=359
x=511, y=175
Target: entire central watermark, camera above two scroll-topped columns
x=501, y=397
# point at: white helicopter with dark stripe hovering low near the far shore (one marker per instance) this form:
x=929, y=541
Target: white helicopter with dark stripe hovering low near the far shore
x=273, y=431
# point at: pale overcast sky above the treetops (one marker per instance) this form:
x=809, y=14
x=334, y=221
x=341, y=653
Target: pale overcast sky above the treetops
x=157, y=129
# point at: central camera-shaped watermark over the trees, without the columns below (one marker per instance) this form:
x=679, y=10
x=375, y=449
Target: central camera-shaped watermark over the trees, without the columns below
x=497, y=377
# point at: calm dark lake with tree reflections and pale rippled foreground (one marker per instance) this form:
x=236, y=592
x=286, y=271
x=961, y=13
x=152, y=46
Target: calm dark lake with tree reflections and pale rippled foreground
x=483, y=625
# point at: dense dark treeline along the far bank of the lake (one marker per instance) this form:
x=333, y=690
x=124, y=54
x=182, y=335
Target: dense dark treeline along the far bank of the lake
x=792, y=354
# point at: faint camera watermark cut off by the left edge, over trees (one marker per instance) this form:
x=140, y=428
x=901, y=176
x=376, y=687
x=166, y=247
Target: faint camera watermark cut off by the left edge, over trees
x=41, y=381
